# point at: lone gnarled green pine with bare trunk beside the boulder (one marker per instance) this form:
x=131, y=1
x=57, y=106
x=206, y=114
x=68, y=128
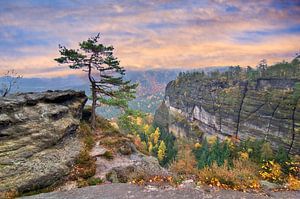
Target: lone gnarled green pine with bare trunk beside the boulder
x=104, y=72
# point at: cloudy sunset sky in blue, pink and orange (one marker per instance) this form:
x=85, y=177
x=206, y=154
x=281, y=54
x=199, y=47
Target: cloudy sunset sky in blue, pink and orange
x=148, y=34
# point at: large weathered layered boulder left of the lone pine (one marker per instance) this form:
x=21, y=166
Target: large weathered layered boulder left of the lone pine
x=38, y=140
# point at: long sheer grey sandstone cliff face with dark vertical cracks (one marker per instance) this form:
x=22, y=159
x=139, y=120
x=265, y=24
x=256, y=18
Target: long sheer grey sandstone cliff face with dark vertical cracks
x=264, y=109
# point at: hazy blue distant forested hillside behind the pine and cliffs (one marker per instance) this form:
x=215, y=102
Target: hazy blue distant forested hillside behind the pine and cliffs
x=150, y=92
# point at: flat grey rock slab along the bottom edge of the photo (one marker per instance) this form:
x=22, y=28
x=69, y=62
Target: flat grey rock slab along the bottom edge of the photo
x=122, y=191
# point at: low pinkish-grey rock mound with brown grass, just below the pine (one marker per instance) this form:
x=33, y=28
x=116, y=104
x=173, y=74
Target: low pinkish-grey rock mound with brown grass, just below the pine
x=118, y=160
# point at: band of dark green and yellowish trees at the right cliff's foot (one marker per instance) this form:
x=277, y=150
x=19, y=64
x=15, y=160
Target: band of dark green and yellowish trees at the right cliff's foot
x=257, y=151
